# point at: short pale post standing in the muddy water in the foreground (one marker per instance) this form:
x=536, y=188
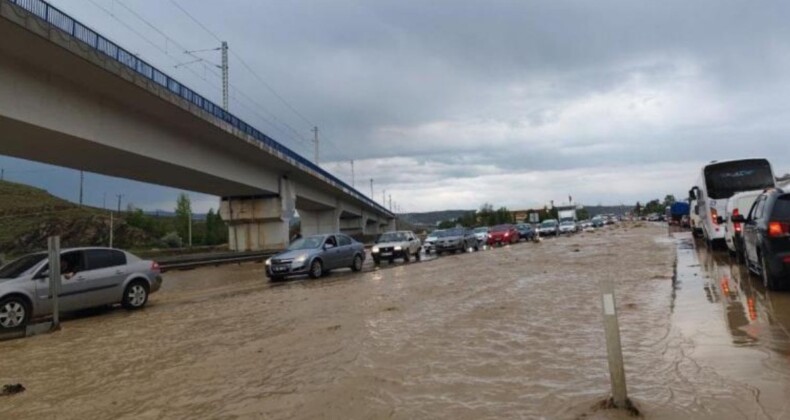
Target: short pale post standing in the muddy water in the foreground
x=613, y=346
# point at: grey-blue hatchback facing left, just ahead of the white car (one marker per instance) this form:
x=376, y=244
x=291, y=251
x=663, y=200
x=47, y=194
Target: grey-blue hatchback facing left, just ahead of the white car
x=315, y=256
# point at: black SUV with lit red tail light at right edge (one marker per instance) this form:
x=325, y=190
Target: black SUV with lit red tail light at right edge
x=766, y=238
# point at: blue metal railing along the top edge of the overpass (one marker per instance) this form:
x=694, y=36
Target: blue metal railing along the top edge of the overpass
x=81, y=32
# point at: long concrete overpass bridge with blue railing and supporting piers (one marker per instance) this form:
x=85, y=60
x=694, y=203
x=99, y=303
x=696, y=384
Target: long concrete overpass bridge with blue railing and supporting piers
x=70, y=97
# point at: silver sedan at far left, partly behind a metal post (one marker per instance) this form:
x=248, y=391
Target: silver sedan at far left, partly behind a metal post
x=90, y=277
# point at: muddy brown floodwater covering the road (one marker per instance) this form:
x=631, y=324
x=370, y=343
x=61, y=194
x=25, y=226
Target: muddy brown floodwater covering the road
x=513, y=332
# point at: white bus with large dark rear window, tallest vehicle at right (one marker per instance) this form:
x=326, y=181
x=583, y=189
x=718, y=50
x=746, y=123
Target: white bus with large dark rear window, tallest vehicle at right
x=718, y=181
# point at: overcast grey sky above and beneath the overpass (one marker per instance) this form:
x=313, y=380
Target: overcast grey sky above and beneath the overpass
x=450, y=104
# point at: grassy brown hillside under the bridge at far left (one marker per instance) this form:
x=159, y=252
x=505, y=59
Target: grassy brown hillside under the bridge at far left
x=28, y=216
